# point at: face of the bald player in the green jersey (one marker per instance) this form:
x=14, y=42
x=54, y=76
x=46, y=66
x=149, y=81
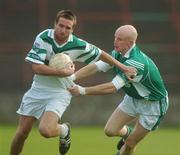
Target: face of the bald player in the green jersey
x=121, y=43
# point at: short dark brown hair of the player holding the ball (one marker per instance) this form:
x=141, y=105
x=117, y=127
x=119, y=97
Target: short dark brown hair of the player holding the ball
x=67, y=14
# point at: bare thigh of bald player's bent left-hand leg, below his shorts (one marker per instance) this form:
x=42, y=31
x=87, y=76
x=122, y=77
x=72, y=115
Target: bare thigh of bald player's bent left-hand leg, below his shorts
x=117, y=120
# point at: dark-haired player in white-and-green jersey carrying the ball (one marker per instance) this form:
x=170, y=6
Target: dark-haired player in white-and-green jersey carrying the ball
x=48, y=98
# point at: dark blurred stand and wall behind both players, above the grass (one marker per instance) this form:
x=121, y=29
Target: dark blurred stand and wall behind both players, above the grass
x=158, y=25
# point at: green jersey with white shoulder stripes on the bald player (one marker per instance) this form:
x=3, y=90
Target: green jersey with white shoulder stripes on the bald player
x=148, y=83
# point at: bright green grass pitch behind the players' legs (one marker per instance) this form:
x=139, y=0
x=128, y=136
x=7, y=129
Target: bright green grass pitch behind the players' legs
x=92, y=141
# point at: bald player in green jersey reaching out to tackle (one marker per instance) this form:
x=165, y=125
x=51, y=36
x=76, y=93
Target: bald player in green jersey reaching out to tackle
x=146, y=98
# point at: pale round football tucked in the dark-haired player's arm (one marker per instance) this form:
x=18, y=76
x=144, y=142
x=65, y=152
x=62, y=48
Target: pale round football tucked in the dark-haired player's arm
x=59, y=61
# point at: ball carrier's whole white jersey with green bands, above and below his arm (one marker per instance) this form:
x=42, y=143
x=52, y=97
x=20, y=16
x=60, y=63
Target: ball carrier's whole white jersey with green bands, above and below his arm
x=45, y=47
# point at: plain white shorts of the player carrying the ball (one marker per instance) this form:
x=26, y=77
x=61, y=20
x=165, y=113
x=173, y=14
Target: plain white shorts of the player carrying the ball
x=35, y=102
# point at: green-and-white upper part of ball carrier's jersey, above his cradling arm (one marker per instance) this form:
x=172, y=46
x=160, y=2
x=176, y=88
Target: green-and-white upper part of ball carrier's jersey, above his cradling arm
x=45, y=46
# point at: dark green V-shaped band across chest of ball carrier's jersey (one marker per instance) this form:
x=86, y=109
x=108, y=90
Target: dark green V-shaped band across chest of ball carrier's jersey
x=76, y=44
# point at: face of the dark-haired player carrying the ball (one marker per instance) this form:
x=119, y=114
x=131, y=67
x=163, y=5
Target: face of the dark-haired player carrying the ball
x=63, y=28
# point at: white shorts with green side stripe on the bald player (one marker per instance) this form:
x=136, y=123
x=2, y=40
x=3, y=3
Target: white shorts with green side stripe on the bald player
x=150, y=113
